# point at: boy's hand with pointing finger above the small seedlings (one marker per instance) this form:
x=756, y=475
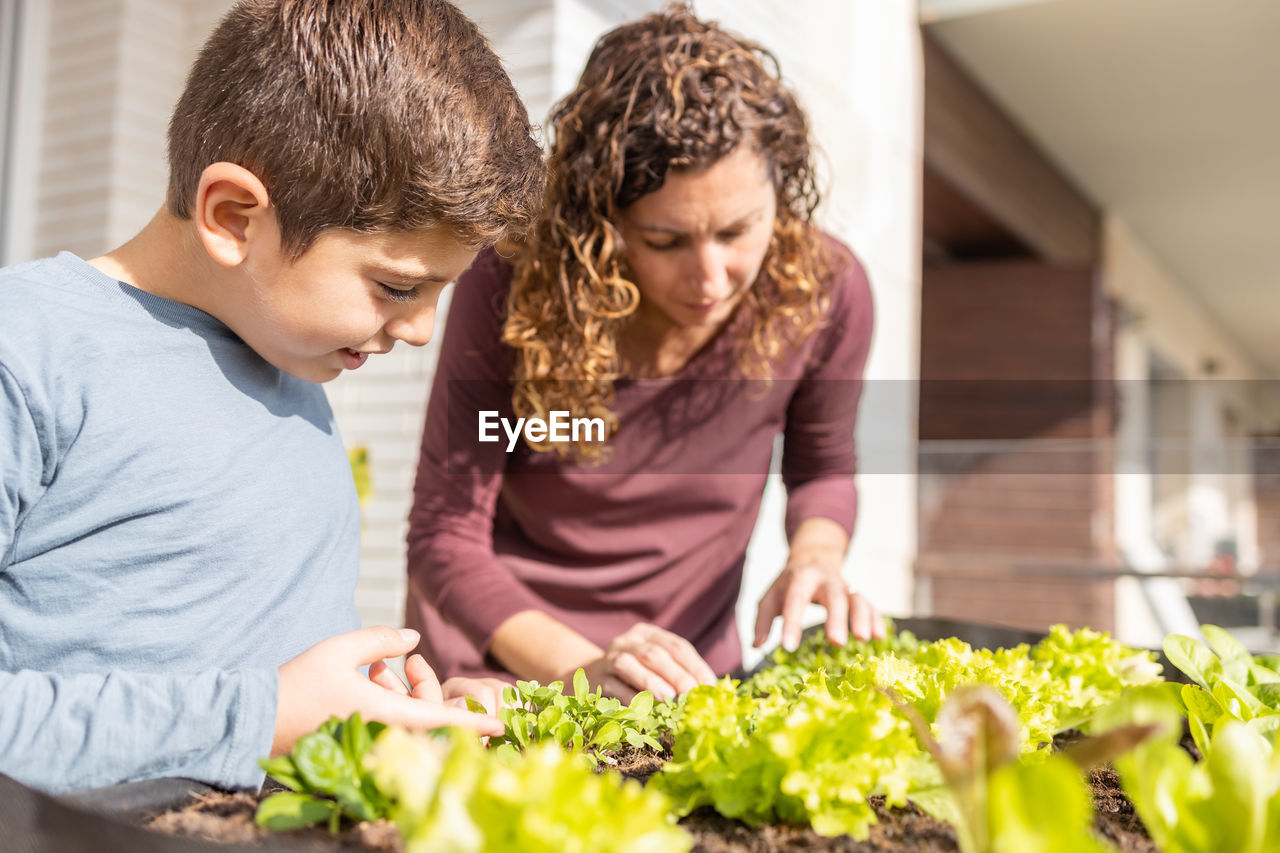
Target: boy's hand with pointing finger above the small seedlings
x=326, y=682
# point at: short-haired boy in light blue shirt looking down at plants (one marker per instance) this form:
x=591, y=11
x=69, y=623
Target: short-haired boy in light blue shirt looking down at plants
x=179, y=523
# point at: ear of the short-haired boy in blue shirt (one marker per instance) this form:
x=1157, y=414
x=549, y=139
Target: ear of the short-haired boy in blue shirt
x=234, y=211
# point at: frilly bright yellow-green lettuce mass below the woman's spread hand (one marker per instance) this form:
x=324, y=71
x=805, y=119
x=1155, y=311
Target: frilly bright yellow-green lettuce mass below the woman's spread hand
x=810, y=747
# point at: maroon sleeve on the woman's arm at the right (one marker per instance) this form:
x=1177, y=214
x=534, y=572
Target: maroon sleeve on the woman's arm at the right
x=819, y=451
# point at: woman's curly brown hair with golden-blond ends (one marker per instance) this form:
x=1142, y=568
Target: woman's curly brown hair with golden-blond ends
x=666, y=93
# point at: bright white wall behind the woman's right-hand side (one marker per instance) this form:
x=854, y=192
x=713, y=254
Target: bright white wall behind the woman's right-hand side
x=857, y=70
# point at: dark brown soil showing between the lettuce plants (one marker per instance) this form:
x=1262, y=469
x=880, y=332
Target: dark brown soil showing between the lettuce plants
x=228, y=819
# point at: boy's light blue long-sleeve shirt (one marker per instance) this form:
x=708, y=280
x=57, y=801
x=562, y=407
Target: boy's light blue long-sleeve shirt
x=177, y=519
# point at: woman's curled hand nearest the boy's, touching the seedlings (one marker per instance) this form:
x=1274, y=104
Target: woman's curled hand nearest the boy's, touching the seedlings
x=647, y=658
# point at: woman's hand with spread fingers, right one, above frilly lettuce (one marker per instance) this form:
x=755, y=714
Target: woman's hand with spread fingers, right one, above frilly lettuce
x=813, y=576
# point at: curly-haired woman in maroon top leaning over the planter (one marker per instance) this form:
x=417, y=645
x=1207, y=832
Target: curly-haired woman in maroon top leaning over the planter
x=676, y=293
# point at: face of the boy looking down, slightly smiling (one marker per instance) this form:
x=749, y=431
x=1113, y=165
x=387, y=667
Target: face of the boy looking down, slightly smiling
x=348, y=298
